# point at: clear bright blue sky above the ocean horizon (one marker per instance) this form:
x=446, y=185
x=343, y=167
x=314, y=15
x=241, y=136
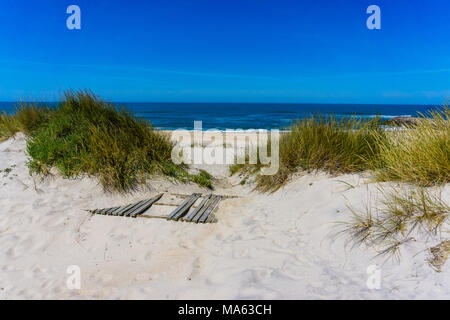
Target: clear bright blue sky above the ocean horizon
x=228, y=51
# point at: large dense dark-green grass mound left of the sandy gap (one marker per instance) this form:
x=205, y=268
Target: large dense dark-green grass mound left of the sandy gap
x=85, y=135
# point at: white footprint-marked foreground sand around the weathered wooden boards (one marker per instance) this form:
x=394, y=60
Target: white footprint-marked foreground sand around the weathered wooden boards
x=274, y=246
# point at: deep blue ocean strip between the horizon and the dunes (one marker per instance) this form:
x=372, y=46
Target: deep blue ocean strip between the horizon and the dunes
x=170, y=116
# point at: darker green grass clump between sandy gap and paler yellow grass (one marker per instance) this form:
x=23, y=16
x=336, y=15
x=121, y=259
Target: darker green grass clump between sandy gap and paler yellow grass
x=327, y=144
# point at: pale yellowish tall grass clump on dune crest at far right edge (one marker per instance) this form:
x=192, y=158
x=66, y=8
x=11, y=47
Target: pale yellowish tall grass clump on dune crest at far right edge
x=418, y=154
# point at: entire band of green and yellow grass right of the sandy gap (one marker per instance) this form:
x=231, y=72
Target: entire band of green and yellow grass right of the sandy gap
x=419, y=153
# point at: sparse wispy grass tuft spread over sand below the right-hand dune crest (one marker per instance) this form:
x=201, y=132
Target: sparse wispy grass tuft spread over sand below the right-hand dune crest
x=397, y=217
